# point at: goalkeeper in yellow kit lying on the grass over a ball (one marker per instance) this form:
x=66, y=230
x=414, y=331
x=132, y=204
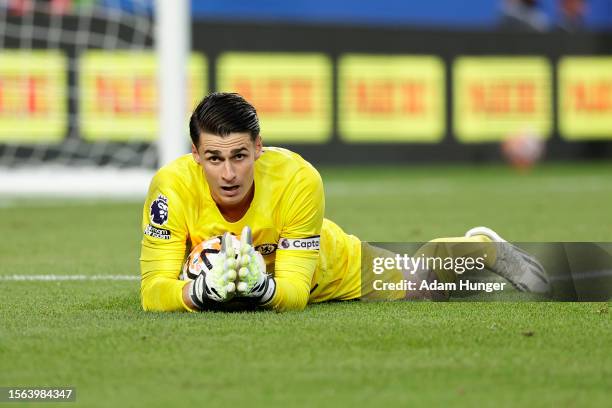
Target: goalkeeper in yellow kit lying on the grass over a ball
x=291, y=255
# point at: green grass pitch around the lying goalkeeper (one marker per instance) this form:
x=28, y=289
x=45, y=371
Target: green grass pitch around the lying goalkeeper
x=93, y=334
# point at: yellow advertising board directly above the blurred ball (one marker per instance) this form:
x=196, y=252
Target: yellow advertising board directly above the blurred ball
x=495, y=97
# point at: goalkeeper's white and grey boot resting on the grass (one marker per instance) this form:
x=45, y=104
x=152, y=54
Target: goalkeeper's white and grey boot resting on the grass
x=521, y=269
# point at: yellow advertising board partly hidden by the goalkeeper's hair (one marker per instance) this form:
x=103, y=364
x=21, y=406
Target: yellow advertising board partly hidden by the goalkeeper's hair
x=292, y=92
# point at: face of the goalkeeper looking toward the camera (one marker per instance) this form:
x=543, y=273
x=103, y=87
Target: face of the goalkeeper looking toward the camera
x=229, y=166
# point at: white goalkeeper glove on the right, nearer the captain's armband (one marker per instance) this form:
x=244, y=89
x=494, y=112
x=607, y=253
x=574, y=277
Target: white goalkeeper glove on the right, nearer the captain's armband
x=253, y=282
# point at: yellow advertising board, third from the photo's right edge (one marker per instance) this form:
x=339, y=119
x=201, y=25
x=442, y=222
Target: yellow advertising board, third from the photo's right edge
x=391, y=98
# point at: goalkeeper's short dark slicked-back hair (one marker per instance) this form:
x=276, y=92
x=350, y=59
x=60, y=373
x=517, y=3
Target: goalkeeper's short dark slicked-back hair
x=222, y=113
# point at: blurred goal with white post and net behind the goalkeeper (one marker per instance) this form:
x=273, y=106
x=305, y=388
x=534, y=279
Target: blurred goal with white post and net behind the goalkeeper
x=80, y=92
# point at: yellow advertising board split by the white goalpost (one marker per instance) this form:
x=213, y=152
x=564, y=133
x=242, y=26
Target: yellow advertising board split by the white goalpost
x=118, y=94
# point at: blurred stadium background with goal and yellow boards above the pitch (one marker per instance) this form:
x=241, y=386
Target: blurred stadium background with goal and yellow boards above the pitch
x=386, y=81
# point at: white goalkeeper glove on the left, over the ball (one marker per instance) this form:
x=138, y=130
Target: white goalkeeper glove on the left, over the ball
x=216, y=284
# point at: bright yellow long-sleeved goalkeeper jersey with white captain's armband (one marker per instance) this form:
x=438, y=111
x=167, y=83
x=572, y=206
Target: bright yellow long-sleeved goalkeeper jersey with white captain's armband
x=311, y=258
